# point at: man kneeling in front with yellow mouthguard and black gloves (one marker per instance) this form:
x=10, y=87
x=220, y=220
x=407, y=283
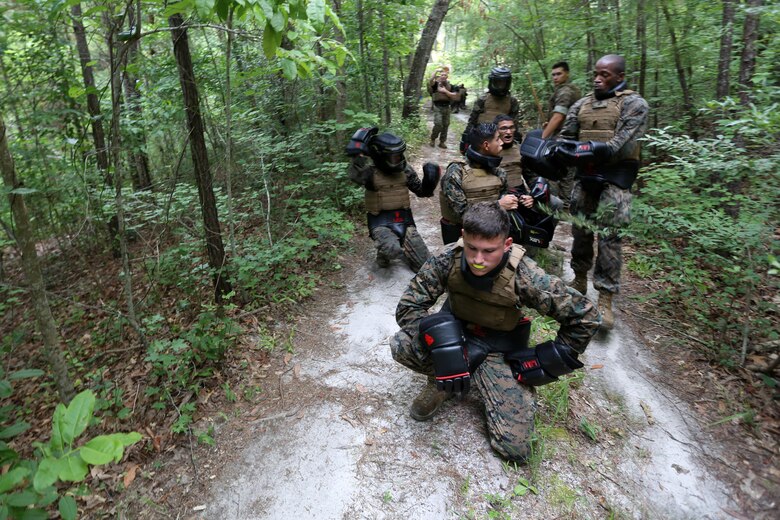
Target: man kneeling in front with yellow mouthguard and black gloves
x=481, y=334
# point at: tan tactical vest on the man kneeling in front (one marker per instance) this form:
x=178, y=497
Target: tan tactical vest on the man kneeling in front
x=496, y=309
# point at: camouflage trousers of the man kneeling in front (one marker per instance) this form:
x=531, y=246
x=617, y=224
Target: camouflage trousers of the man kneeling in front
x=509, y=406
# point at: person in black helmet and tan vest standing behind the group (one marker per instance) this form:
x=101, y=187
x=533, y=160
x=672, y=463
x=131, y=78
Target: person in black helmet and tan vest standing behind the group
x=497, y=100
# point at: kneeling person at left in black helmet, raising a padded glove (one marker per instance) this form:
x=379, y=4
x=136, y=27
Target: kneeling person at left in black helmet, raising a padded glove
x=379, y=165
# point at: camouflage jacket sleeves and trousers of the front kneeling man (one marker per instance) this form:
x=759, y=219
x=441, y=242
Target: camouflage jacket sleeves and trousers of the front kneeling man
x=509, y=406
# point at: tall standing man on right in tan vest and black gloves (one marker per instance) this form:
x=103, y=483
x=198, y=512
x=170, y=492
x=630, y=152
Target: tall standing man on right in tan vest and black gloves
x=607, y=123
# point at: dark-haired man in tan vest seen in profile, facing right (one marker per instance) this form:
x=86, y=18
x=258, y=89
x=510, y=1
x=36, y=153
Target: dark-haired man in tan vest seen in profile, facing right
x=478, y=179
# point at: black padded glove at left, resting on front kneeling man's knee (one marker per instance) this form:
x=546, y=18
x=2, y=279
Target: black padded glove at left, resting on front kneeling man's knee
x=443, y=335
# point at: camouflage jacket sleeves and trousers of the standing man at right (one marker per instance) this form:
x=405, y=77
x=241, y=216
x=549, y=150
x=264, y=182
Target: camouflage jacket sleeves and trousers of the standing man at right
x=610, y=207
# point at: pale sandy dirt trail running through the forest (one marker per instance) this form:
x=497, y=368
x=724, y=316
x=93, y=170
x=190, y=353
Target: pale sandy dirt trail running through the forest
x=341, y=443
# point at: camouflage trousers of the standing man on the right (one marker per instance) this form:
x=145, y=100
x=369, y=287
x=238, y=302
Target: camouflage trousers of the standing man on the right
x=609, y=208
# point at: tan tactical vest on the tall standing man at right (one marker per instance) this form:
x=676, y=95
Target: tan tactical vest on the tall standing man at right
x=598, y=120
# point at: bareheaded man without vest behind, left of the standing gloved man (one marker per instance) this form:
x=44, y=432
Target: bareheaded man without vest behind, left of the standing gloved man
x=564, y=96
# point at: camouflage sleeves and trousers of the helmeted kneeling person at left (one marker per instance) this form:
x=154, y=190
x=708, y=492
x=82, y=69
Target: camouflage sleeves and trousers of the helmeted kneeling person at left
x=362, y=171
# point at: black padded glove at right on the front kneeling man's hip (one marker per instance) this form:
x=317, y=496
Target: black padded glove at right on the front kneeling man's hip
x=543, y=364
